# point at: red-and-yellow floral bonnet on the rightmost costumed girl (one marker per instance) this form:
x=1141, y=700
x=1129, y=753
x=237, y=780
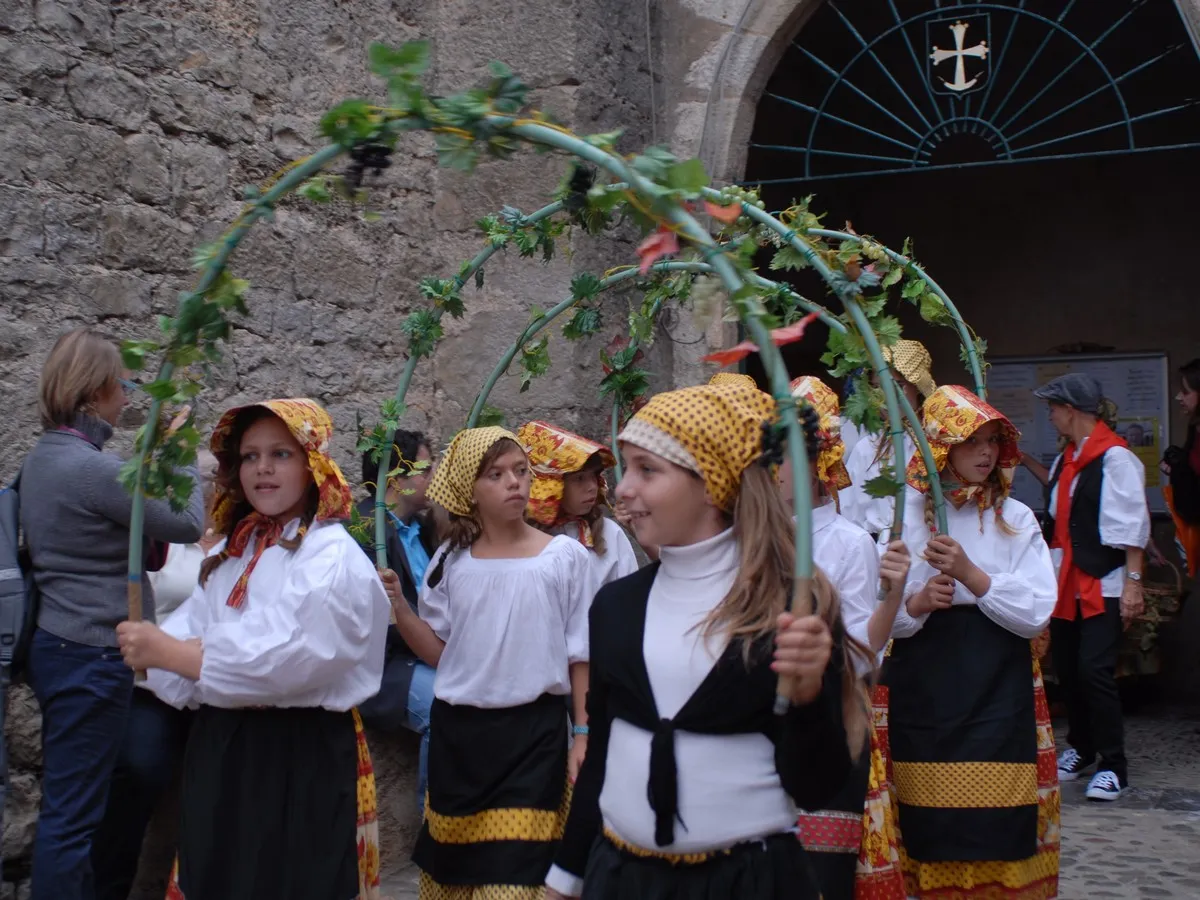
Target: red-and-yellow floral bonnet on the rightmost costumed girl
x=953, y=415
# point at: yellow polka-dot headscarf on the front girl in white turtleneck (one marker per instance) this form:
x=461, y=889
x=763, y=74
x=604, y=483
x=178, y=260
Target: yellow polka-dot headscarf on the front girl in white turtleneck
x=715, y=430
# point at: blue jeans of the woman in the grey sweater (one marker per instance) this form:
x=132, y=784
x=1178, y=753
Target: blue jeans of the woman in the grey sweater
x=85, y=694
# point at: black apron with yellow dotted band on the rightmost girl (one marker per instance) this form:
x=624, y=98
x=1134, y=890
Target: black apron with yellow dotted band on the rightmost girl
x=963, y=739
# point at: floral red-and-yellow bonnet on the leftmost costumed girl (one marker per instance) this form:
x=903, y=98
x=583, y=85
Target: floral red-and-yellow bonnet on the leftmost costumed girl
x=313, y=429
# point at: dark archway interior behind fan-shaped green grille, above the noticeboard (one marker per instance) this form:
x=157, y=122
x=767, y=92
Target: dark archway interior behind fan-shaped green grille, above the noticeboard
x=1090, y=250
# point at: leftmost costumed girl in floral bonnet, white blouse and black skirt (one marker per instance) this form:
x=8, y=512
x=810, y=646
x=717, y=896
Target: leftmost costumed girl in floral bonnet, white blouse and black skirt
x=277, y=647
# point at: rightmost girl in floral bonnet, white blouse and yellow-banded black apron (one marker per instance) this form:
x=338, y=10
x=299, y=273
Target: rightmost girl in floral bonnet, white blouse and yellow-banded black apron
x=971, y=752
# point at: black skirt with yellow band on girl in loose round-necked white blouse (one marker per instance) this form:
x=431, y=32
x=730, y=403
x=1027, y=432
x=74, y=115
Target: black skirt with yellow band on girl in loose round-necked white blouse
x=497, y=796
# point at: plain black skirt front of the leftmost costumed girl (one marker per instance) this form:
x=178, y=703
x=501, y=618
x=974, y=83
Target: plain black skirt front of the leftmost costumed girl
x=269, y=806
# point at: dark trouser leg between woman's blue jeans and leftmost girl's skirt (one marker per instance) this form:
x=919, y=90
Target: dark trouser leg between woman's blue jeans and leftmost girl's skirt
x=151, y=758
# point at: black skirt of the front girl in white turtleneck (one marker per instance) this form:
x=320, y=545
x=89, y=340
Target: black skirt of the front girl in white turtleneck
x=772, y=869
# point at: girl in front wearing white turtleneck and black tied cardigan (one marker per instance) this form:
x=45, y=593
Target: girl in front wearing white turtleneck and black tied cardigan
x=692, y=784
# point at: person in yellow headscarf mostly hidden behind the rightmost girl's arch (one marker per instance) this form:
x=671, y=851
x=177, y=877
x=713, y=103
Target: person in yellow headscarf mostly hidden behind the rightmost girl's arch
x=911, y=367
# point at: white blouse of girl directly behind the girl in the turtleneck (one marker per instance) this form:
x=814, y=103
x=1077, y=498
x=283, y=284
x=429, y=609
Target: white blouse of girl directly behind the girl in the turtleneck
x=849, y=559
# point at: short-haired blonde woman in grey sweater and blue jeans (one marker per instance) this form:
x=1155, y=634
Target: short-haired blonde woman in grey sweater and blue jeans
x=76, y=519
